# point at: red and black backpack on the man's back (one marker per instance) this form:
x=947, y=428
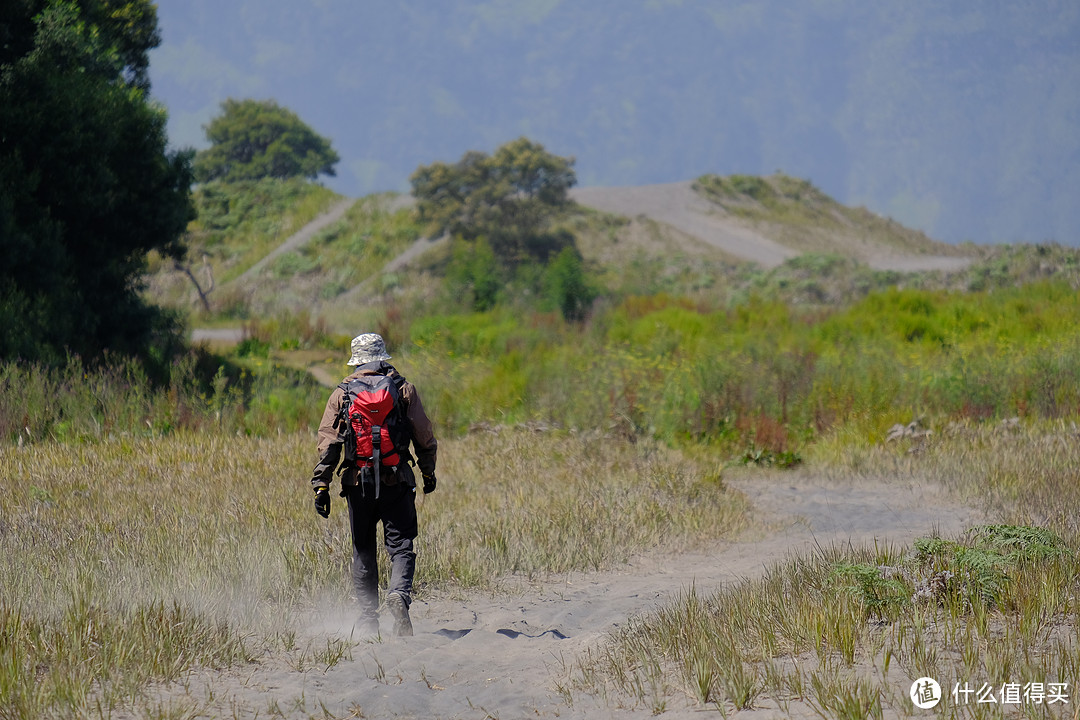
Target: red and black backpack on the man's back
x=376, y=430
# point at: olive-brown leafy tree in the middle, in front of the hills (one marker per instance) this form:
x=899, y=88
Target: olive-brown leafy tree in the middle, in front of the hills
x=510, y=198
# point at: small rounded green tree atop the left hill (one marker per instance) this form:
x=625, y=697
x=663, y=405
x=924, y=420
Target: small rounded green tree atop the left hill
x=254, y=140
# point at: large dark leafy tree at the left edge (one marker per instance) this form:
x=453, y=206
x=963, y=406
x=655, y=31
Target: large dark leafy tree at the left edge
x=87, y=186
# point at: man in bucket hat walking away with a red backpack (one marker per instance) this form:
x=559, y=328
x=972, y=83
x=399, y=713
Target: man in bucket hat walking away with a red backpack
x=367, y=428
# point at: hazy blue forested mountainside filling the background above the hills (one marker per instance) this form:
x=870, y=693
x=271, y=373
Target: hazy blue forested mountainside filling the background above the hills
x=960, y=119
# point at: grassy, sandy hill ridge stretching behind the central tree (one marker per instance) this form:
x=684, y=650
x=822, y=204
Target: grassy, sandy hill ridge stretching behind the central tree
x=340, y=279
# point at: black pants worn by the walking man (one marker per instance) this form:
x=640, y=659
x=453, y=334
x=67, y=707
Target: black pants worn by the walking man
x=397, y=509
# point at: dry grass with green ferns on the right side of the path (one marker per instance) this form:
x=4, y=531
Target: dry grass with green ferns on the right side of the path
x=843, y=634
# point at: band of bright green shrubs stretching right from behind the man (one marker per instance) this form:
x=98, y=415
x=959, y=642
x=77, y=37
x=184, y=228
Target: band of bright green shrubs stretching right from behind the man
x=765, y=375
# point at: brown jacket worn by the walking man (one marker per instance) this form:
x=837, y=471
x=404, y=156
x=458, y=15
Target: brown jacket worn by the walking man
x=332, y=434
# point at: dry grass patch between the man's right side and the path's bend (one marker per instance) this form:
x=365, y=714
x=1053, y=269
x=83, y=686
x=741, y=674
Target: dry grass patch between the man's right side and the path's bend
x=538, y=502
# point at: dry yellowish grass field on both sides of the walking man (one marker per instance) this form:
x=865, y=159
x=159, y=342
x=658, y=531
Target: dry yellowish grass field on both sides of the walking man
x=129, y=561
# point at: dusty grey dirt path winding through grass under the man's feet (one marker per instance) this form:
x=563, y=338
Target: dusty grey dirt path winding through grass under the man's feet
x=476, y=656
